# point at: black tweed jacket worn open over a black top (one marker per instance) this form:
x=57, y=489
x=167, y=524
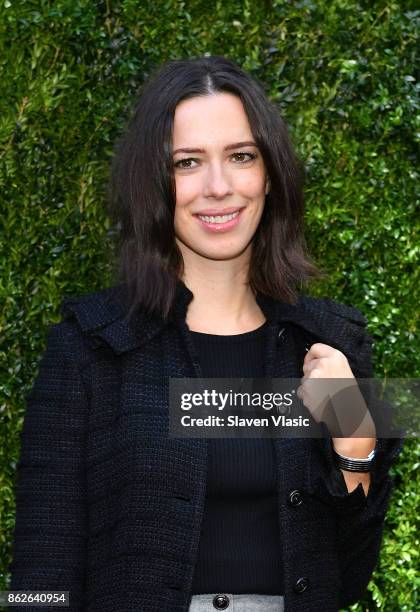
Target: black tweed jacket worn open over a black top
x=109, y=508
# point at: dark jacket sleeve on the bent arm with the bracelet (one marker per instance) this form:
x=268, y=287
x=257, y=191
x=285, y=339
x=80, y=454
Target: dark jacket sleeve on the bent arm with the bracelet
x=360, y=518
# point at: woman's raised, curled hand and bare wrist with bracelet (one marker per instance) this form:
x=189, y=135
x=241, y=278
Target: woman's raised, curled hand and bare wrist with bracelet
x=325, y=362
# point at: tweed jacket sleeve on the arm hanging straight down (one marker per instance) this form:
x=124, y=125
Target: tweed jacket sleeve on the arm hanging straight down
x=49, y=548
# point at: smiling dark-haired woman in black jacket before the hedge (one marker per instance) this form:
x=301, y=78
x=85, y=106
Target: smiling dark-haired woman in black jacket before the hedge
x=207, y=191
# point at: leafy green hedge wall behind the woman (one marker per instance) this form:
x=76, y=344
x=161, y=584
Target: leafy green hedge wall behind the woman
x=341, y=72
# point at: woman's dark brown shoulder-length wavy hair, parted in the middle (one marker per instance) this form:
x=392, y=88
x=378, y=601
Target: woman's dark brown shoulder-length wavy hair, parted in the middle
x=142, y=193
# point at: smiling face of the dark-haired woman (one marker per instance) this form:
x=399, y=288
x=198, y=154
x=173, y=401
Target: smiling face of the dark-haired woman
x=220, y=184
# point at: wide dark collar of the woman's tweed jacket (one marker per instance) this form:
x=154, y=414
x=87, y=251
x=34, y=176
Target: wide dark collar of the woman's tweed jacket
x=103, y=315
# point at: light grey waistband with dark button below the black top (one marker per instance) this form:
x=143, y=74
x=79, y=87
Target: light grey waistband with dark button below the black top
x=236, y=603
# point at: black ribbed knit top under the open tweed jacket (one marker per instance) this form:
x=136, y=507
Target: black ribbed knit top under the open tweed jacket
x=239, y=549
